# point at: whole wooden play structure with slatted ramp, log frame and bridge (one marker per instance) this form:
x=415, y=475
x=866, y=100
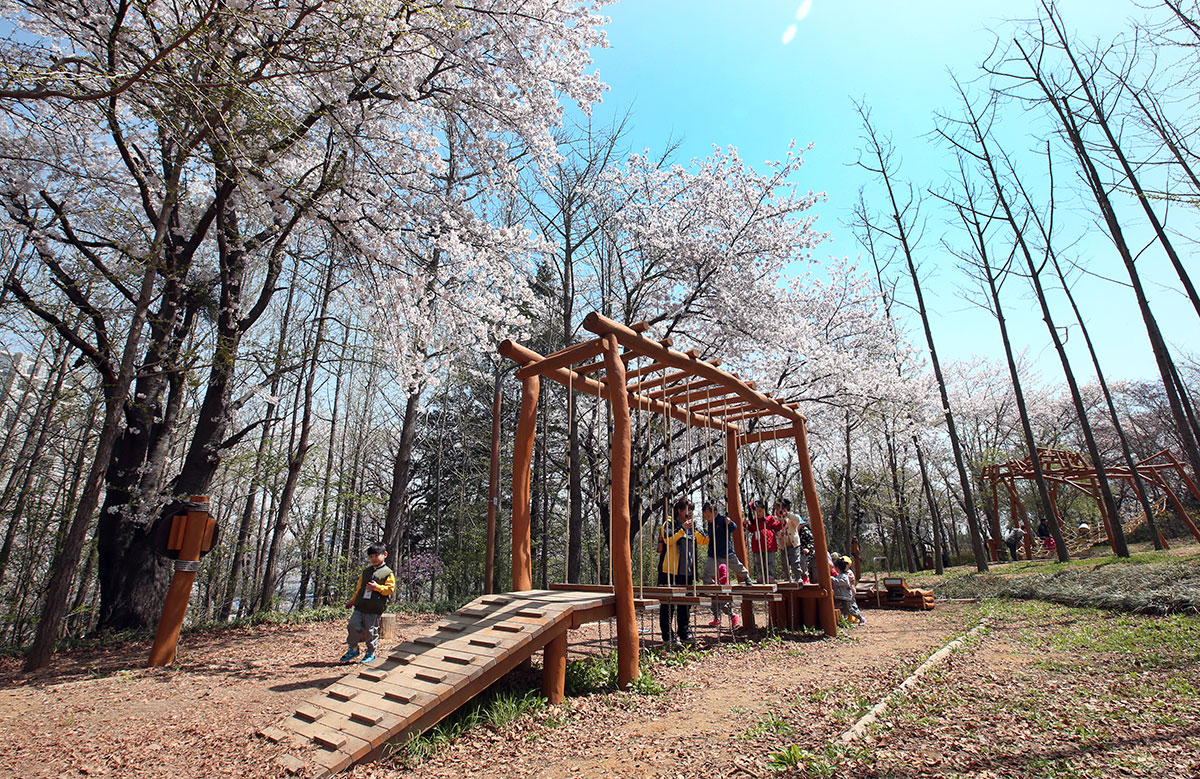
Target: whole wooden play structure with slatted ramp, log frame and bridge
x=423, y=681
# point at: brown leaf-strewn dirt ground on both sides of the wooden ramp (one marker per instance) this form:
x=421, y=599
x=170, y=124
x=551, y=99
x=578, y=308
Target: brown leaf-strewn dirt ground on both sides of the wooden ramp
x=99, y=714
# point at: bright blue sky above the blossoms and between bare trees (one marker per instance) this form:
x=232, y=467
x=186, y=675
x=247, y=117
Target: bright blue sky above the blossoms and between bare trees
x=722, y=74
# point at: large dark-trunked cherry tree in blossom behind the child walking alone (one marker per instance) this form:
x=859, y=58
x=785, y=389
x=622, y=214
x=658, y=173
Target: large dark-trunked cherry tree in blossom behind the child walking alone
x=161, y=158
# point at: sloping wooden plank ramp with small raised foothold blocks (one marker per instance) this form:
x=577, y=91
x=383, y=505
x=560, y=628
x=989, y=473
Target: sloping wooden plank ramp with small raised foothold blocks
x=423, y=681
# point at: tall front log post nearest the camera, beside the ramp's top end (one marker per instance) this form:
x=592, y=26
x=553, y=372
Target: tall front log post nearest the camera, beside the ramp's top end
x=620, y=464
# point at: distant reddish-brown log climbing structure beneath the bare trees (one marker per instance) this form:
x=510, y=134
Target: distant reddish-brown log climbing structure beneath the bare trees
x=1071, y=469
